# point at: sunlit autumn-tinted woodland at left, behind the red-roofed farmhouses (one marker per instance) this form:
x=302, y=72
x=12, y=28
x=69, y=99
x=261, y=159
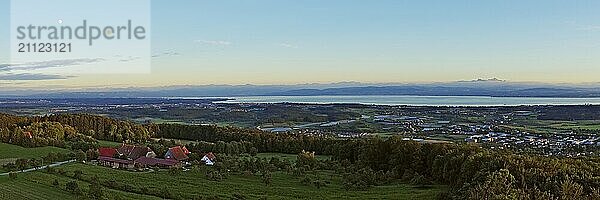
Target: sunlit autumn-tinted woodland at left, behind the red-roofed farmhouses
x=77, y=130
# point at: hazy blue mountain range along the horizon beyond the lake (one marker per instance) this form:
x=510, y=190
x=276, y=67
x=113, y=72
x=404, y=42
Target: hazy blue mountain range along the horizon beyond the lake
x=480, y=87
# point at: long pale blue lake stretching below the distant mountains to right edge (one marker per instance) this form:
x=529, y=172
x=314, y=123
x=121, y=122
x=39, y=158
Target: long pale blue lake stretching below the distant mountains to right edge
x=418, y=100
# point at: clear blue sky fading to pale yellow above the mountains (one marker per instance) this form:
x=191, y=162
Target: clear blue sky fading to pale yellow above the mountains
x=198, y=42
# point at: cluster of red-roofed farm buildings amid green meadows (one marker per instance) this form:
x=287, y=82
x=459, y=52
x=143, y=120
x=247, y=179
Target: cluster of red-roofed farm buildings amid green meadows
x=135, y=157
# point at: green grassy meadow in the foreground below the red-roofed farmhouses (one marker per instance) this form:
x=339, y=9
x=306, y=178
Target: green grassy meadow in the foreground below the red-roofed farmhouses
x=193, y=184
